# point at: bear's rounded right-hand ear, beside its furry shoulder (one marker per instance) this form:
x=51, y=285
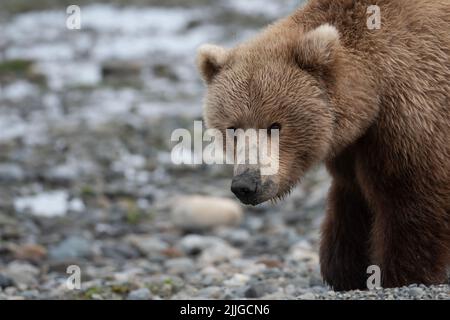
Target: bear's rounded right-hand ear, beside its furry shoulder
x=318, y=47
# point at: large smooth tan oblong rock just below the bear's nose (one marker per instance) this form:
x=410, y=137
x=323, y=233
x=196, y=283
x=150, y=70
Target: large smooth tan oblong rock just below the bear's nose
x=199, y=212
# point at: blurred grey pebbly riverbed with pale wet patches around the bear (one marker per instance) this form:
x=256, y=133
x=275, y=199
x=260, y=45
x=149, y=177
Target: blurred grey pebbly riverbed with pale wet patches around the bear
x=86, y=177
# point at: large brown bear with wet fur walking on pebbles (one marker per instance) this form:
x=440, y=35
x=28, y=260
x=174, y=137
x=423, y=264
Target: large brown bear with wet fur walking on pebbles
x=373, y=105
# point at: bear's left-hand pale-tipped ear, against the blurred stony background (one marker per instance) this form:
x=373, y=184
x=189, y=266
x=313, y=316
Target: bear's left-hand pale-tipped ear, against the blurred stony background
x=210, y=60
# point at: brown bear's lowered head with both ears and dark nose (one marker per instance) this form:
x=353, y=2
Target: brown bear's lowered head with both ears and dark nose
x=275, y=81
